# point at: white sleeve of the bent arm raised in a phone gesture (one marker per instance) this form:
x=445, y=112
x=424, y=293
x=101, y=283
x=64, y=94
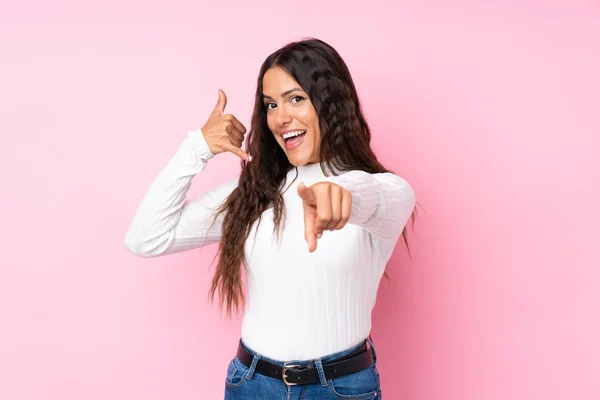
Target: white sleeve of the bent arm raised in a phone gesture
x=165, y=222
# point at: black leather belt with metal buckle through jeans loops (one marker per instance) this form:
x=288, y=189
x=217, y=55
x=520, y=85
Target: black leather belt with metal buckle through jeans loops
x=355, y=361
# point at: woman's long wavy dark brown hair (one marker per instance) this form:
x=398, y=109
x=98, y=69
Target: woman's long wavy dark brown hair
x=345, y=145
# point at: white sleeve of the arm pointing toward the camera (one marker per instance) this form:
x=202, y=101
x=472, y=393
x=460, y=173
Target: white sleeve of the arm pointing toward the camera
x=381, y=203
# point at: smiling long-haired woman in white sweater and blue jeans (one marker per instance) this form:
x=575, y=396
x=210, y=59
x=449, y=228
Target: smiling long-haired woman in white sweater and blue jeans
x=312, y=220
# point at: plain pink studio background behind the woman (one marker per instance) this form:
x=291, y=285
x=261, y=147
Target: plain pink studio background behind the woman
x=490, y=110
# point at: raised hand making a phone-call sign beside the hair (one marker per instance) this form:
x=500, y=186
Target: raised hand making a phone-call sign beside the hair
x=224, y=132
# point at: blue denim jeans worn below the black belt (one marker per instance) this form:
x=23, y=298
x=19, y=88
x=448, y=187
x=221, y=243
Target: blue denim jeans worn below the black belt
x=244, y=383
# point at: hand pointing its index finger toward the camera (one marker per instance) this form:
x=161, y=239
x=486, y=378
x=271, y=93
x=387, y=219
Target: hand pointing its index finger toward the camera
x=326, y=206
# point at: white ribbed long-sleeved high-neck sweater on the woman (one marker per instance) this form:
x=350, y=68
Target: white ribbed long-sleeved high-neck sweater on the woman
x=300, y=305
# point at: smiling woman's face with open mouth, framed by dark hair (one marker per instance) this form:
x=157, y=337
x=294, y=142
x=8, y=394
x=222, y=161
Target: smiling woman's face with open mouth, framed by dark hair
x=288, y=110
